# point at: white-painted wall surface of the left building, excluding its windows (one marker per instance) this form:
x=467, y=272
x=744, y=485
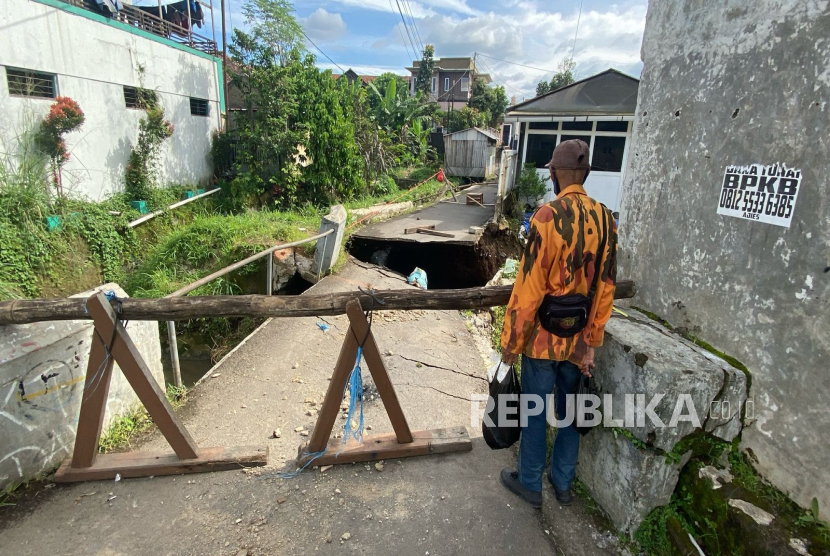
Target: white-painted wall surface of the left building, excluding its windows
x=93, y=60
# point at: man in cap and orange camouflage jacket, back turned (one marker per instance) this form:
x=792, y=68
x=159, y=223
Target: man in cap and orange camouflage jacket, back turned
x=557, y=315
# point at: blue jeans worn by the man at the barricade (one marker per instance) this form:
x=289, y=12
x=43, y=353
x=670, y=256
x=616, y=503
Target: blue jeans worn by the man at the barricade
x=539, y=376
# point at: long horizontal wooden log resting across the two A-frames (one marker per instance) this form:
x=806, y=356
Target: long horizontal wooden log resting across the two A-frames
x=22, y=311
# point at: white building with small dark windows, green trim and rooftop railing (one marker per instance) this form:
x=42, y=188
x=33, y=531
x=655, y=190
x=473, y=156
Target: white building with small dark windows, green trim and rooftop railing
x=111, y=65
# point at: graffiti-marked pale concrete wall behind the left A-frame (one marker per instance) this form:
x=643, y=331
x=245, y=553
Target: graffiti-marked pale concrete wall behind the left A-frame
x=42, y=371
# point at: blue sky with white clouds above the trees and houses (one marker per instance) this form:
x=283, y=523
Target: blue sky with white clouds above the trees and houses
x=368, y=35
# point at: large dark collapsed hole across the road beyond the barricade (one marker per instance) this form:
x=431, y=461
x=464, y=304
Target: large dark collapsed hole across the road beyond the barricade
x=448, y=265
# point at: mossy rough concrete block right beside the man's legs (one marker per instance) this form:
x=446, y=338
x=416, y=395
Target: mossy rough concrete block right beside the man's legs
x=641, y=357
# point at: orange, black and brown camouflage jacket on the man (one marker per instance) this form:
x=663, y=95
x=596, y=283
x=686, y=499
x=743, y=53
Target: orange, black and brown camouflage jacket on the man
x=560, y=259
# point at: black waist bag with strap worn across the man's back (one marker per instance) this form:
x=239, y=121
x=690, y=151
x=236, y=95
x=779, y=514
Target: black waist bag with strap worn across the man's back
x=567, y=315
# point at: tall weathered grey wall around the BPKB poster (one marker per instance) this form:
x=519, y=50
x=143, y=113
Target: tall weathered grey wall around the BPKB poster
x=739, y=83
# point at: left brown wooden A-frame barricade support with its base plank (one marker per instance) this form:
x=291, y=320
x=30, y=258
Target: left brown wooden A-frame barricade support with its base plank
x=85, y=464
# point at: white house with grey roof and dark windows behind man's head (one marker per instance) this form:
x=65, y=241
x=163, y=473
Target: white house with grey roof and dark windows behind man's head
x=599, y=110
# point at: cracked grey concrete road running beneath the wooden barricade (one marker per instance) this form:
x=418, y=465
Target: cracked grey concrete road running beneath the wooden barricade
x=447, y=504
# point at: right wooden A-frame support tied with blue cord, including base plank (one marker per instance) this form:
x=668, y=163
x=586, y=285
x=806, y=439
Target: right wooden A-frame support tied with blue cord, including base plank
x=403, y=443
